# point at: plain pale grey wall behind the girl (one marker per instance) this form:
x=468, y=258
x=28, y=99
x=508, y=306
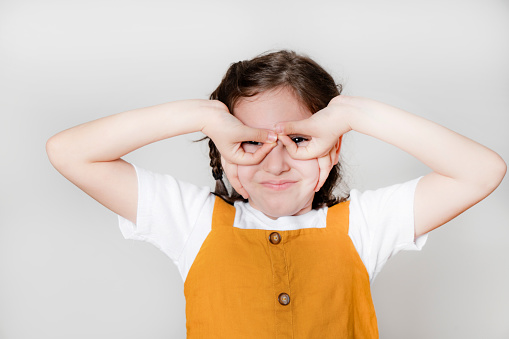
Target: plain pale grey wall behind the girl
x=65, y=270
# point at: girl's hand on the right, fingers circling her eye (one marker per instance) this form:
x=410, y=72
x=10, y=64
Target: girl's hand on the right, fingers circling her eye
x=325, y=129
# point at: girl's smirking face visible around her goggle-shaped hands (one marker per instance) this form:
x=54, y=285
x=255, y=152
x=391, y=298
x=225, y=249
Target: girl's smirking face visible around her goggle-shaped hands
x=279, y=185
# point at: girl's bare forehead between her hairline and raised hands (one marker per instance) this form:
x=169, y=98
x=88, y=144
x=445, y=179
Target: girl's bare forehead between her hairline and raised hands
x=268, y=108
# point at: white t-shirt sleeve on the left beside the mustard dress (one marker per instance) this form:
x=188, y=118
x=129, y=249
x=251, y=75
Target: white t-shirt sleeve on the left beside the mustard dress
x=168, y=210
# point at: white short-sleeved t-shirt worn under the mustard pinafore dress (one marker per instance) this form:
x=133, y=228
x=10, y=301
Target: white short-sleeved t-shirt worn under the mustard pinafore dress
x=176, y=217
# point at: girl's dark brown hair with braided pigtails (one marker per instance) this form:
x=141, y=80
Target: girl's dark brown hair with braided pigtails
x=311, y=84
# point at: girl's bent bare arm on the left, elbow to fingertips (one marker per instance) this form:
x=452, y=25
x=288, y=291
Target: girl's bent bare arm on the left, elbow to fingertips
x=89, y=155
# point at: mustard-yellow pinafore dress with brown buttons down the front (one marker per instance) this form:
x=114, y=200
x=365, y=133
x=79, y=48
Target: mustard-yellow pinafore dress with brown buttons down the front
x=307, y=283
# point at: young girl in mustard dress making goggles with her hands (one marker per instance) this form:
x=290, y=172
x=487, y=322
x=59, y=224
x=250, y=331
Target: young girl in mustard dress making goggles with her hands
x=278, y=255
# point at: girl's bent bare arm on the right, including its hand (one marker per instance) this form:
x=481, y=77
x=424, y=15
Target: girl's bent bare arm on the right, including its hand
x=463, y=171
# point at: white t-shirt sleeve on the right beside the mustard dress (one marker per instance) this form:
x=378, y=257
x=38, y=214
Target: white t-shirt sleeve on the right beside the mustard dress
x=382, y=224
